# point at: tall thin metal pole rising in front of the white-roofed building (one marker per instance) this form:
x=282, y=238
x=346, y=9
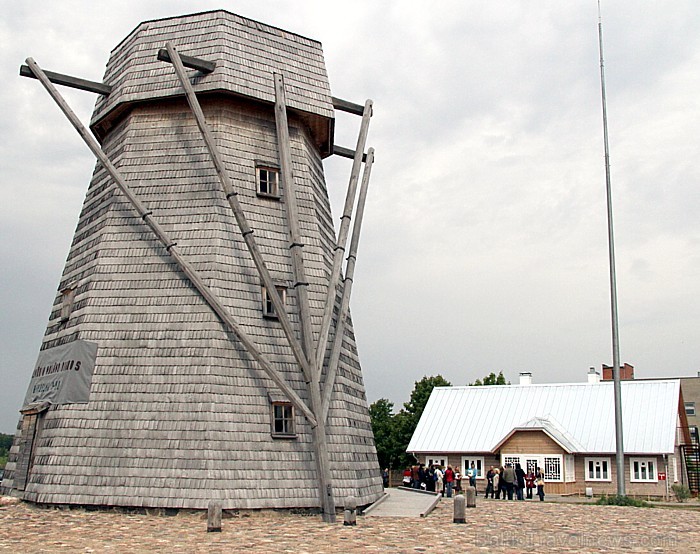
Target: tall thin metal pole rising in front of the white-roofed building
x=619, y=444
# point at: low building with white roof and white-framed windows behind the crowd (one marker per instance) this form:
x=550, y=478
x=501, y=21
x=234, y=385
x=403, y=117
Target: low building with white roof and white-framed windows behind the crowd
x=566, y=429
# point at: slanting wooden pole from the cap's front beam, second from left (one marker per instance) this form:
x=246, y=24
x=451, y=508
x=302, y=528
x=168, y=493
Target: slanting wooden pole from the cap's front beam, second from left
x=232, y=198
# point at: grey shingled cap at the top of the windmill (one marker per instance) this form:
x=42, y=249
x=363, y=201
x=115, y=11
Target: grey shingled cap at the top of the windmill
x=247, y=54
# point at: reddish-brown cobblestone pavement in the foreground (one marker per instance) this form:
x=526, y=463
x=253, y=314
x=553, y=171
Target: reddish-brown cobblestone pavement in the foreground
x=492, y=527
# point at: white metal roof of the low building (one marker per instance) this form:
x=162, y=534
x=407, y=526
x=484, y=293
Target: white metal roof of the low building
x=580, y=416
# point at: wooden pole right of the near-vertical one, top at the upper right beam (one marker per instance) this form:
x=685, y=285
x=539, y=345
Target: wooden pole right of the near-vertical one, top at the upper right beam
x=342, y=238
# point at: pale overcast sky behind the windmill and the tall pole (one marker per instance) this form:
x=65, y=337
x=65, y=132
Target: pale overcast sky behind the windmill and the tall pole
x=485, y=244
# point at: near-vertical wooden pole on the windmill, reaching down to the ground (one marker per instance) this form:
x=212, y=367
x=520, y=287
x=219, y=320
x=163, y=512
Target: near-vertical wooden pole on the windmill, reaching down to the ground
x=301, y=286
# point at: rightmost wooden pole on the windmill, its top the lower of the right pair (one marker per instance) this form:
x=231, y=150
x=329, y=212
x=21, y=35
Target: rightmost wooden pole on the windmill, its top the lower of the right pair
x=347, y=289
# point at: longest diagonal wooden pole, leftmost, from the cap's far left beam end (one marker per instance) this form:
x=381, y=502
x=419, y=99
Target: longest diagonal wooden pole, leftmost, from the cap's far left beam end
x=170, y=246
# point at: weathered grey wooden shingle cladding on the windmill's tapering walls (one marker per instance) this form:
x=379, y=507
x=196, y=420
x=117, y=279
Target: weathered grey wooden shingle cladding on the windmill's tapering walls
x=179, y=413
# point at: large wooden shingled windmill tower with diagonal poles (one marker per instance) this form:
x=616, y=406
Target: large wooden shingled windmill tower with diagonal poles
x=204, y=285
